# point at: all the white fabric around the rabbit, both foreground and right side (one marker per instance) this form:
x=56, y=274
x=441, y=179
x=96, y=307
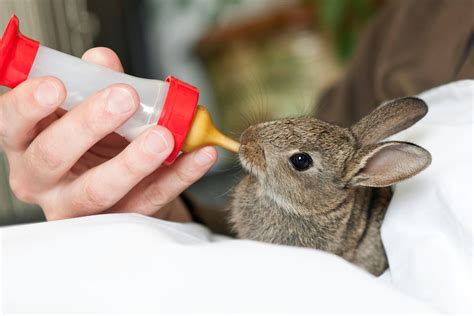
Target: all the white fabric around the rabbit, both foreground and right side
x=130, y=263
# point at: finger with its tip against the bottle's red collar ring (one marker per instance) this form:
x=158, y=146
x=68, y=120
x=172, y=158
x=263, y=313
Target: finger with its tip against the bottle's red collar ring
x=103, y=186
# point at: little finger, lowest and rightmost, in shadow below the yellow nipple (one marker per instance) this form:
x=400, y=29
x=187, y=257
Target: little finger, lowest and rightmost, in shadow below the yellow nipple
x=168, y=182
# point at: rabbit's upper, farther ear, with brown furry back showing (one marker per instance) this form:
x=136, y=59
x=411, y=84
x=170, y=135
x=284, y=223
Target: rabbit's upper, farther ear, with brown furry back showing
x=388, y=119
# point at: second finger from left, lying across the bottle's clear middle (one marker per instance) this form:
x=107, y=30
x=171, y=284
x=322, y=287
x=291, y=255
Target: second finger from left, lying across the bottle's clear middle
x=56, y=149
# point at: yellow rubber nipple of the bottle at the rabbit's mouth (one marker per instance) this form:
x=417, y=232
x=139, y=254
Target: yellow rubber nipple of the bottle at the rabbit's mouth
x=203, y=132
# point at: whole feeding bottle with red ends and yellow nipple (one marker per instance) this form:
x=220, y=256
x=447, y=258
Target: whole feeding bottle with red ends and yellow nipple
x=171, y=103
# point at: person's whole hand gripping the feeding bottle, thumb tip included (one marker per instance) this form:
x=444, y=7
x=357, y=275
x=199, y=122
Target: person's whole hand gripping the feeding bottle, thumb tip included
x=73, y=164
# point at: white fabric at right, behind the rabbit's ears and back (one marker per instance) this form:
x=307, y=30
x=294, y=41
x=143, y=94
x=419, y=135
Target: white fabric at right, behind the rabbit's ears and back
x=427, y=231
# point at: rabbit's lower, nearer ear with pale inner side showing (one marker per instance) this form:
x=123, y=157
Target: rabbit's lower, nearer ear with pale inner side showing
x=387, y=163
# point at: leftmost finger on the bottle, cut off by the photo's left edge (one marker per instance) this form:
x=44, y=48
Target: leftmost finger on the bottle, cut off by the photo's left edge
x=23, y=107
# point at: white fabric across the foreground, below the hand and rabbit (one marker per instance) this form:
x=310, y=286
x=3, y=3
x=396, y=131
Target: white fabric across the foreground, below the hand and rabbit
x=135, y=264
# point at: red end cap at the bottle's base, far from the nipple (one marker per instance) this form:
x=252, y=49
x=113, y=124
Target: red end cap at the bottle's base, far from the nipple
x=17, y=54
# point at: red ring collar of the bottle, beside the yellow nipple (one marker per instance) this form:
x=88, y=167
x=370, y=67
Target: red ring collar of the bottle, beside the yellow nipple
x=178, y=112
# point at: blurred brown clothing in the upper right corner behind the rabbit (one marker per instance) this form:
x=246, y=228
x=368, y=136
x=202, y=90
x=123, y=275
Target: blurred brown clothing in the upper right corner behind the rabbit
x=409, y=47
